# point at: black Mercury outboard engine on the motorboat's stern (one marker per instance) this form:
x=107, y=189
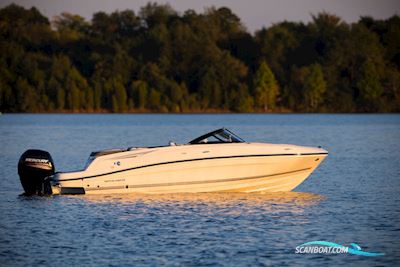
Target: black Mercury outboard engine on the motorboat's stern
x=33, y=167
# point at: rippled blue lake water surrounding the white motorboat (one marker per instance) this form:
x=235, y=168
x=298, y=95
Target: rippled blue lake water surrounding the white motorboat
x=353, y=197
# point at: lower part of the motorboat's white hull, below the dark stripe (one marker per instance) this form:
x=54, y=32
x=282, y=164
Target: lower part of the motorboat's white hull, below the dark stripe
x=263, y=173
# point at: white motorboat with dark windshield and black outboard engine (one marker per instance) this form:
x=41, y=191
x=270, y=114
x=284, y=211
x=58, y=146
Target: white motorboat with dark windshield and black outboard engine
x=218, y=161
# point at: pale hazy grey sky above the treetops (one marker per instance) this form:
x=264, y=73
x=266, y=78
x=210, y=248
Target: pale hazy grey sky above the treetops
x=254, y=13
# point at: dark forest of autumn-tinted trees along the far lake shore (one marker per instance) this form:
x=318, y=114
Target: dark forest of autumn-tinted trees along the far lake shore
x=159, y=60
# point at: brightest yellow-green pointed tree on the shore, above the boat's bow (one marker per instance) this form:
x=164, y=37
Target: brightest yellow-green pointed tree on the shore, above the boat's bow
x=265, y=88
